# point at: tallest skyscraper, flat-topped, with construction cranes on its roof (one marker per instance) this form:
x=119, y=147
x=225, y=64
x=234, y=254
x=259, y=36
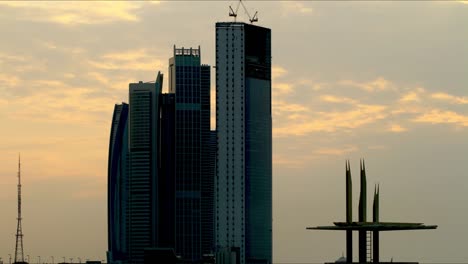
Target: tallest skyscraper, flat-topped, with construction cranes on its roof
x=243, y=183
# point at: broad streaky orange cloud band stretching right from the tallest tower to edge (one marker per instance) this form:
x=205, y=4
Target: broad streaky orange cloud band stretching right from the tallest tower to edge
x=400, y=105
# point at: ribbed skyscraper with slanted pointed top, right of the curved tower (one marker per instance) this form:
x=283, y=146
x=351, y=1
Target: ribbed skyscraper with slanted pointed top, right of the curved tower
x=143, y=182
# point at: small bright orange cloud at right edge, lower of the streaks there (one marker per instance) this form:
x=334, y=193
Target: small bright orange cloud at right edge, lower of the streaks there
x=437, y=116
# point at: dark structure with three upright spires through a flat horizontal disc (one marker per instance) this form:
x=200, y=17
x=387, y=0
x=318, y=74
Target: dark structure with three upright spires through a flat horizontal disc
x=369, y=244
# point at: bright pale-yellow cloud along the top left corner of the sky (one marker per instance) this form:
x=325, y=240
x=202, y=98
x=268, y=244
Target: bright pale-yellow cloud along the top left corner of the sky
x=76, y=13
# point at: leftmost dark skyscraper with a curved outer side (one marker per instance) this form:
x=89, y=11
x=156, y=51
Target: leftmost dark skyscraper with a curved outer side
x=117, y=171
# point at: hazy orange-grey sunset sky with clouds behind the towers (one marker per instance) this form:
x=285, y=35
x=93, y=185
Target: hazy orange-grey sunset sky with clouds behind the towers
x=383, y=81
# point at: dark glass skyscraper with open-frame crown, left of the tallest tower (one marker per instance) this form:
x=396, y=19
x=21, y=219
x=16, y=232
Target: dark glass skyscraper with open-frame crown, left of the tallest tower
x=189, y=81
